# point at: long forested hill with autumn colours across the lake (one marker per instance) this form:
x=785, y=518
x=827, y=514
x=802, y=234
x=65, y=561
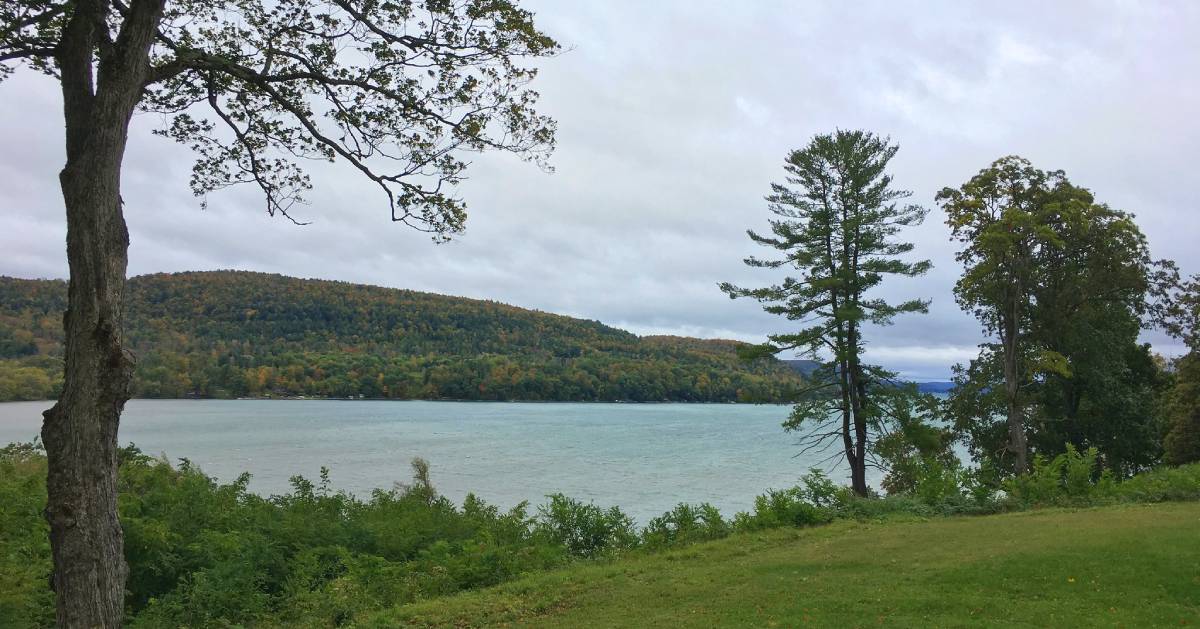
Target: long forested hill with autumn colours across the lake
x=232, y=334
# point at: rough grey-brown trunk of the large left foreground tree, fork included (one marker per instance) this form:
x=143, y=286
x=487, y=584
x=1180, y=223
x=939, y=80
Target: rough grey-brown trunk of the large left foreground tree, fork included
x=80, y=433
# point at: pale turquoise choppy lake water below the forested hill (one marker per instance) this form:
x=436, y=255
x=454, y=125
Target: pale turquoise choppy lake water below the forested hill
x=643, y=458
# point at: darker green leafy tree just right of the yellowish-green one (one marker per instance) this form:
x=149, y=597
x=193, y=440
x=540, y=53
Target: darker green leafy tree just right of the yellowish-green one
x=1090, y=308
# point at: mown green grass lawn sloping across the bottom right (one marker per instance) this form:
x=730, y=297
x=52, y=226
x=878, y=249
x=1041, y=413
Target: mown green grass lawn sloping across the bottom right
x=1130, y=566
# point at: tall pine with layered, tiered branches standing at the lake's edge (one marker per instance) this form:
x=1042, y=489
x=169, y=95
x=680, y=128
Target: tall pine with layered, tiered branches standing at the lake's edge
x=838, y=220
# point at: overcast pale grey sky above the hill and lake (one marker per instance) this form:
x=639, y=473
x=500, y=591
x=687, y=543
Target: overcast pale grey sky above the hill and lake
x=674, y=119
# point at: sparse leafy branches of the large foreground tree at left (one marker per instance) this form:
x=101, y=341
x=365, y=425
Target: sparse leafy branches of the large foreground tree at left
x=398, y=91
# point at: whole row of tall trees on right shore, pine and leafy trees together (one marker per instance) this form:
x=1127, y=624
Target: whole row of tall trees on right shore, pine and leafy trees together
x=1061, y=284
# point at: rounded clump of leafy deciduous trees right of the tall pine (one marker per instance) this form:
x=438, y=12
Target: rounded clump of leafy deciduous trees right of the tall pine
x=1063, y=283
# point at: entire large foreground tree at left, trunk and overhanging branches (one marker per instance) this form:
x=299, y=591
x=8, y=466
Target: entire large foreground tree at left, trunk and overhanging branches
x=399, y=91
